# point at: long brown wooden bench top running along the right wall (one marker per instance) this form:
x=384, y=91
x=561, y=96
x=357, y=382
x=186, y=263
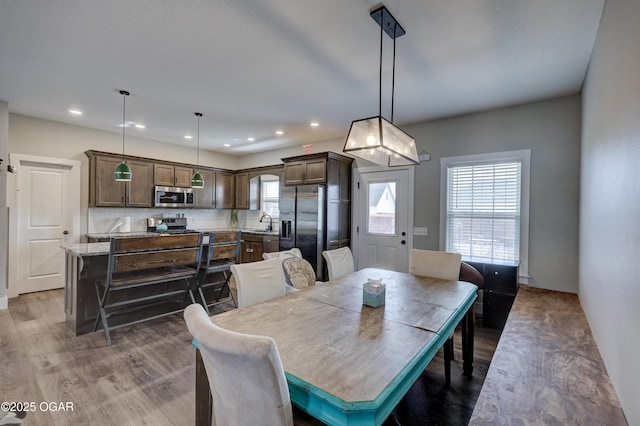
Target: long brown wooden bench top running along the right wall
x=547, y=368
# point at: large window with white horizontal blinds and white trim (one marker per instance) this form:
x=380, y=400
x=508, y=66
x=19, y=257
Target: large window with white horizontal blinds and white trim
x=485, y=205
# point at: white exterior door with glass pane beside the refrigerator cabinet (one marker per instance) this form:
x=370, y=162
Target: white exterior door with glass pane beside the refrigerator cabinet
x=384, y=227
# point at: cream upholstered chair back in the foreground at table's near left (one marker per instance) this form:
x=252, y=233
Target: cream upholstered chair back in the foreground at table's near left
x=246, y=377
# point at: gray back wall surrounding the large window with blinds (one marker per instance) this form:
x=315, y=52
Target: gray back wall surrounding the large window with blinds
x=551, y=129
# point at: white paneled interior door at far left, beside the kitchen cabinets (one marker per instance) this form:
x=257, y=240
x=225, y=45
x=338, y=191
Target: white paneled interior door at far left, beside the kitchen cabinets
x=45, y=218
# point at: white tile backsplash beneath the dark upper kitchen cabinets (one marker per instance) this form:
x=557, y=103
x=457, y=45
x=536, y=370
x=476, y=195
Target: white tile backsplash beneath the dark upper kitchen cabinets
x=101, y=220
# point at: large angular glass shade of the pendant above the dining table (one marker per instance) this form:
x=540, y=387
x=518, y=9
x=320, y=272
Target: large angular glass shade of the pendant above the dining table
x=377, y=140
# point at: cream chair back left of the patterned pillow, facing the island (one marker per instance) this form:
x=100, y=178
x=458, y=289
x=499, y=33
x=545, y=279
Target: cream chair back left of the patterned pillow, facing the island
x=259, y=281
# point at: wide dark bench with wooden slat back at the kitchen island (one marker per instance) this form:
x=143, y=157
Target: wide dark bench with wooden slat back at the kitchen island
x=138, y=275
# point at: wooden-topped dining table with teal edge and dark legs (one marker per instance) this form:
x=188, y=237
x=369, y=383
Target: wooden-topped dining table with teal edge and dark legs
x=348, y=363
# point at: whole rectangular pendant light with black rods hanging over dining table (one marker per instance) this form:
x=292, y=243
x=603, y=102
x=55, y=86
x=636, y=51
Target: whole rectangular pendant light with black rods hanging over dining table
x=375, y=139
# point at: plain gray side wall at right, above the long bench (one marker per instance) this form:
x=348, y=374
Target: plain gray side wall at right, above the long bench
x=610, y=199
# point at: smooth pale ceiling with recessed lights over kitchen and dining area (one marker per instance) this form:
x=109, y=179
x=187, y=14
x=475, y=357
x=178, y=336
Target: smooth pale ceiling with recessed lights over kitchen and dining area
x=252, y=67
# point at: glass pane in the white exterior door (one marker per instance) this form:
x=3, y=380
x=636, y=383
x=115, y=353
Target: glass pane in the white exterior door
x=381, y=216
